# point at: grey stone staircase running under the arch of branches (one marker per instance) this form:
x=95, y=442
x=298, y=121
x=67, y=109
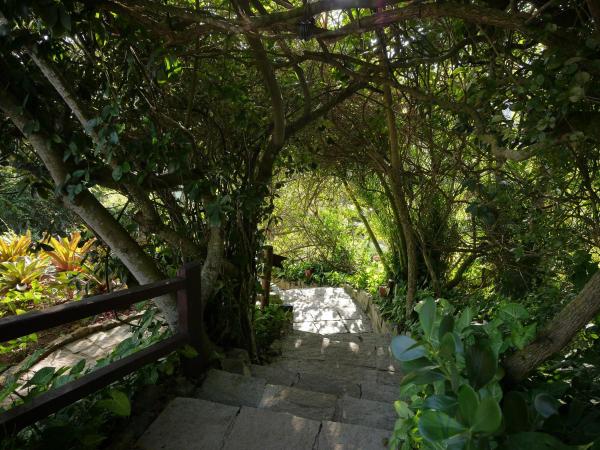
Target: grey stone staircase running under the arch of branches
x=324, y=392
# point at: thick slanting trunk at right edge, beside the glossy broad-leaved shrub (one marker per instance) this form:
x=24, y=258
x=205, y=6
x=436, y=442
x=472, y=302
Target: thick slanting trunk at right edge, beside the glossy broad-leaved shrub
x=558, y=333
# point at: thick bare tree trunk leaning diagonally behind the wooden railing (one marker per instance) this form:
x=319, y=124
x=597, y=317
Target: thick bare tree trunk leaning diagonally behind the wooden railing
x=90, y=210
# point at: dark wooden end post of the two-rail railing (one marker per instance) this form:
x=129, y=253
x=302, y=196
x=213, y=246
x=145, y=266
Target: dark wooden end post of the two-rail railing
x=191, y=318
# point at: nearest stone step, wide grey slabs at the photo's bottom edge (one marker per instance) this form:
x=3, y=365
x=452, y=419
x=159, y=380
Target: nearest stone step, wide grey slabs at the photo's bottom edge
x=194, y=424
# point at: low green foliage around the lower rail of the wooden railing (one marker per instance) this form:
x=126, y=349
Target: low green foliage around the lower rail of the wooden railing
x=90, y=421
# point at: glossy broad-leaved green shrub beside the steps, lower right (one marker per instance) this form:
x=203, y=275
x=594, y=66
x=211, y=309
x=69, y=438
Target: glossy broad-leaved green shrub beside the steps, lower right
x=451, y=396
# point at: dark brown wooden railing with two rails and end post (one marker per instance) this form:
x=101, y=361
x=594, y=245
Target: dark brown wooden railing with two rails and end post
x=187, y=287
